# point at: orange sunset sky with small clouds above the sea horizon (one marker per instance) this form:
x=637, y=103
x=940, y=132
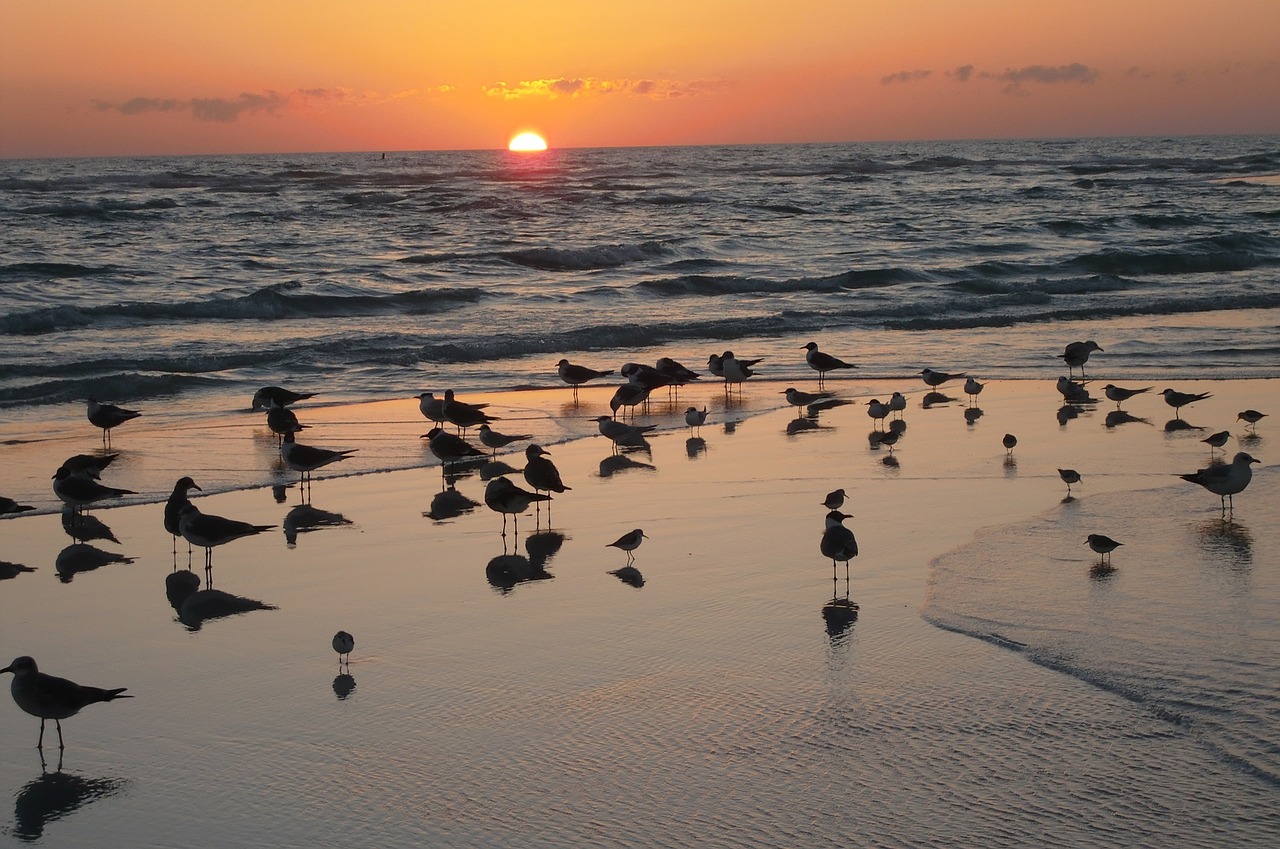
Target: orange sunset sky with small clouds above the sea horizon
x=85, y=77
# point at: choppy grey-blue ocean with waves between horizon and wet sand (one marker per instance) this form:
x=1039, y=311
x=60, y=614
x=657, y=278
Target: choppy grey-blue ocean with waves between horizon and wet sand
x=356, y=277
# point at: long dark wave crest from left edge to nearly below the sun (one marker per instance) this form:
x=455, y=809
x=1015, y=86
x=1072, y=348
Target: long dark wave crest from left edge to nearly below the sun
x=273, y=303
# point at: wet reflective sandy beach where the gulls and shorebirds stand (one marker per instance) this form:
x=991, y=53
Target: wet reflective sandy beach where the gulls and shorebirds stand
x=716, y=705
